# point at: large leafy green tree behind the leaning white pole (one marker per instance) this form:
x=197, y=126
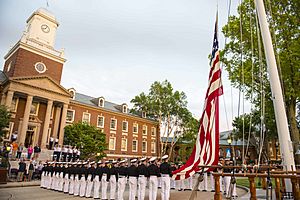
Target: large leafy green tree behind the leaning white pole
x=284, y=22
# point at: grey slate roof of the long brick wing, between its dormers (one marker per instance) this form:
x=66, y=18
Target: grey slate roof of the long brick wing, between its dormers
x=93, y=101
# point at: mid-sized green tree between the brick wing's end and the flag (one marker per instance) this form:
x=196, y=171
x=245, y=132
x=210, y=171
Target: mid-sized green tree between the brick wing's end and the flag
x=166, y=106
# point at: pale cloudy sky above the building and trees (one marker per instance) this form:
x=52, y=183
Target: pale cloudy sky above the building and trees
x=117, y=48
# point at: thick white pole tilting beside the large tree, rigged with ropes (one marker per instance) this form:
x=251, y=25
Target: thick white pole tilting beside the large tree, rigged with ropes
x=280, y=112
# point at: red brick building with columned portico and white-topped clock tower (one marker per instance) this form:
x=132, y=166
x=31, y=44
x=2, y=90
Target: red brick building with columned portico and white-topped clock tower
x=41, y=107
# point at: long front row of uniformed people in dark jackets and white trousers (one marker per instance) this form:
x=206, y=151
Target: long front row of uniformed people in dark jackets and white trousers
x=85, y=179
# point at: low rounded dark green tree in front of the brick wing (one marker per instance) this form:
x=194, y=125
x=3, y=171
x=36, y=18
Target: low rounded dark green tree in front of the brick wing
x=88, y=138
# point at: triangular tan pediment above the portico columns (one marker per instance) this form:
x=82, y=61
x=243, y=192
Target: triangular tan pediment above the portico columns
x=42, y=82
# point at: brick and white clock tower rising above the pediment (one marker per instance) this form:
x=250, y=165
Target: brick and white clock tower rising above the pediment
x=34, y=54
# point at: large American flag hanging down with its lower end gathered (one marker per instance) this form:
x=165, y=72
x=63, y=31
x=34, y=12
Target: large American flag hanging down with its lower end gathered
x=206, y=149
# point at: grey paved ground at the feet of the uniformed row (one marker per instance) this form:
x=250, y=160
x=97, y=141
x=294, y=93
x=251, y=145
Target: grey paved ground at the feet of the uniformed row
x=35, y=192
